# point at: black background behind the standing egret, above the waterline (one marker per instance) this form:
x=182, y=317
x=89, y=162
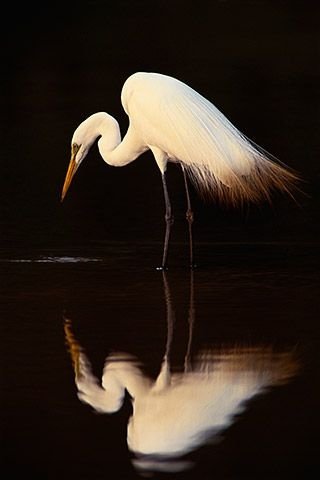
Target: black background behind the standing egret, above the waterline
x=257, y=61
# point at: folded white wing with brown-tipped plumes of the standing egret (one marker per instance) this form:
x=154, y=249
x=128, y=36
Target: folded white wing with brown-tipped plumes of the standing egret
x=219, y=158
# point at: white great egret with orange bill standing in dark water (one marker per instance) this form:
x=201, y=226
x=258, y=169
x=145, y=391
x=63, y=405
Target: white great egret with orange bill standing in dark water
x=179, y=125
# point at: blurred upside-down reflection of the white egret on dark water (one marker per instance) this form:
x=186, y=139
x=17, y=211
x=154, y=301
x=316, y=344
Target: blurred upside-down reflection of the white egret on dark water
x=180, y=411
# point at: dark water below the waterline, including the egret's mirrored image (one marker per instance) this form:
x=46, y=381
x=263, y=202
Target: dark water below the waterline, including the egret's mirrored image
x=212, y=370
